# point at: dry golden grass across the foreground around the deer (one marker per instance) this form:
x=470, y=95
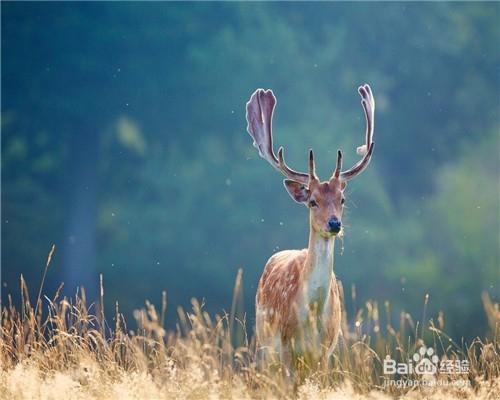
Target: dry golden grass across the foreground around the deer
x=58, y=349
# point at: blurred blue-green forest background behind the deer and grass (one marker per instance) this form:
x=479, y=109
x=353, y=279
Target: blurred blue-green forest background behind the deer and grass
x=123, y=142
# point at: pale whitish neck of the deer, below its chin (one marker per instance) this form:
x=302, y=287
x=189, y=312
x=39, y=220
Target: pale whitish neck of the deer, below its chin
x=319, y=264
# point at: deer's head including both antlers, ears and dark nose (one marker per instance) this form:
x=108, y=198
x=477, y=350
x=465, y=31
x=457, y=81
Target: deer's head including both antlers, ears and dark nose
x=325, y=200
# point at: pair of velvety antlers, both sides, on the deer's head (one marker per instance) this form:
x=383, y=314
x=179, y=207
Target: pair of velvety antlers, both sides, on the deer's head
x=259, y=116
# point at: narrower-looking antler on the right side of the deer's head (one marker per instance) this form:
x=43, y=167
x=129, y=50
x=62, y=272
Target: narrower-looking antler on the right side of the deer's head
x=368, y=103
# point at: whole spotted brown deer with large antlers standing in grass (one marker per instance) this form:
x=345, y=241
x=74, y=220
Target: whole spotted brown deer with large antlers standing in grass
x=298, y=303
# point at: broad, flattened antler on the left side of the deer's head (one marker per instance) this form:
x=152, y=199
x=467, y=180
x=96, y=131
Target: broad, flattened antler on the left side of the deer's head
x=259, y=117
